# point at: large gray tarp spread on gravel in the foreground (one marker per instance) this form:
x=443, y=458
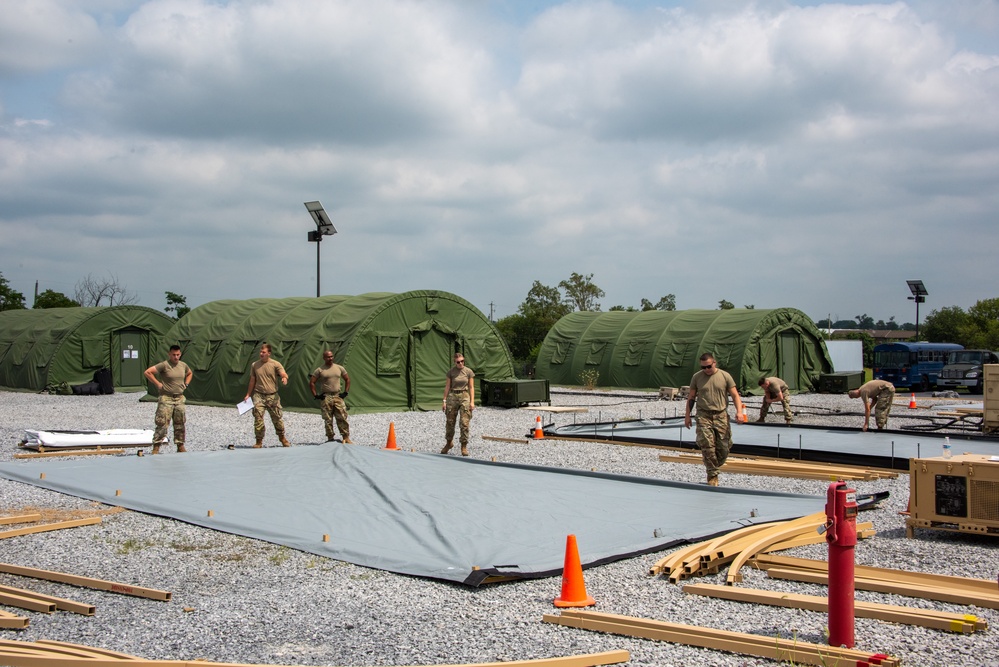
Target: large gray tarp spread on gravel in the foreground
x=412, y=513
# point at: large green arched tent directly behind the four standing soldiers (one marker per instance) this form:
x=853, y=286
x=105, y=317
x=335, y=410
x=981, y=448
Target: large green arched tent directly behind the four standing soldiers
x=395, y=347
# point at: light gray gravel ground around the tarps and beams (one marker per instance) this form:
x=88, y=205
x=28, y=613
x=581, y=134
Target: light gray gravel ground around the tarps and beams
x=241, y=600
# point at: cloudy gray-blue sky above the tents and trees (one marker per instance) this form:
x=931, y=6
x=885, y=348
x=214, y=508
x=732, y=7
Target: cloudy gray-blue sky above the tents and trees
x=776, y=154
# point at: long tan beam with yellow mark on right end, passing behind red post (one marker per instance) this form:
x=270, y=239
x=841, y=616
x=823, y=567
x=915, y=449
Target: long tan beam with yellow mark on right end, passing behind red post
x=893, y=613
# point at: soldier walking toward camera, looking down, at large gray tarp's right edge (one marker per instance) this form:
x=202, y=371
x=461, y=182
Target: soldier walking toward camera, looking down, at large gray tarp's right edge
x=710, y=388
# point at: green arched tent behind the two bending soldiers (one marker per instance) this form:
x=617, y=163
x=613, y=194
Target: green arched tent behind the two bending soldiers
x=655, y=348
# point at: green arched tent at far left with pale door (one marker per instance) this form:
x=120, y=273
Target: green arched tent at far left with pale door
x=48, y=346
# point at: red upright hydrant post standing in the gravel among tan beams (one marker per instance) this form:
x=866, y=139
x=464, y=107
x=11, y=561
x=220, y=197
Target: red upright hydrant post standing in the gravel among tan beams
x=841, y=534
